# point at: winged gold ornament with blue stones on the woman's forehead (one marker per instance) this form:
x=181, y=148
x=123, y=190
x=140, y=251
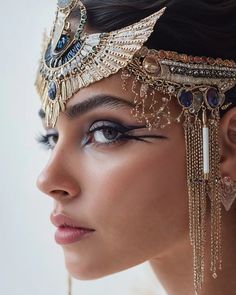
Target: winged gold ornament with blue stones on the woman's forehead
x=73, y=59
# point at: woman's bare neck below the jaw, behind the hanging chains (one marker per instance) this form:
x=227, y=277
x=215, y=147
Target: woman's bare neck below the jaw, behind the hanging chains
x=174, y=269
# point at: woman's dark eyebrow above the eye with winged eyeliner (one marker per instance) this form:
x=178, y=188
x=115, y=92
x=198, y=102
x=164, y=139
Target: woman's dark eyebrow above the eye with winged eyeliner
x=91, y=103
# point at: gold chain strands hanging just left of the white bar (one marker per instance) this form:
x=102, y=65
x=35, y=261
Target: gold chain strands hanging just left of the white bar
x=197, y=196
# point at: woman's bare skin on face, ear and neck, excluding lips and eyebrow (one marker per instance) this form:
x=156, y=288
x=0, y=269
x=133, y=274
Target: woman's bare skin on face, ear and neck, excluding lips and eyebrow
x=133, y=193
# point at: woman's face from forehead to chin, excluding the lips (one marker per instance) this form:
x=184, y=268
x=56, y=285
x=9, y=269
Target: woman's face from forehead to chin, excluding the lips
x=131, y=190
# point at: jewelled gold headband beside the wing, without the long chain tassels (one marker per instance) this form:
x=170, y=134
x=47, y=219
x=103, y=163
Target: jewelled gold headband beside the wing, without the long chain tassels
x=197, y=83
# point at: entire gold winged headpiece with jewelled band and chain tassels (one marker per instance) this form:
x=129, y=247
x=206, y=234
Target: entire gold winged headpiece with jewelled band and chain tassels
x=73, y=59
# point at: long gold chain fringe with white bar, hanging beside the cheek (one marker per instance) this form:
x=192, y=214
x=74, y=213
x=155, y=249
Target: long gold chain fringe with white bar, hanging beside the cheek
x=203, y=177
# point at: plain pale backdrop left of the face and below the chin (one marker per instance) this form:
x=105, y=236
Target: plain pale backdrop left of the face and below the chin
x=30, y=260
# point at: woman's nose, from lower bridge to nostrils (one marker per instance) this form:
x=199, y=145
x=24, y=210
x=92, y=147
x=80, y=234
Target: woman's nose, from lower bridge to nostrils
x=57, y=180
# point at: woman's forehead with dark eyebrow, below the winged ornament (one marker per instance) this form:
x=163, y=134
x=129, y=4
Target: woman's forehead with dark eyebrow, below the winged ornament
x=110, y=92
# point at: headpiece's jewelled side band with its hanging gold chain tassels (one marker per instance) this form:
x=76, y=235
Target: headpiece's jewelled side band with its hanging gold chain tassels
x=199, y=85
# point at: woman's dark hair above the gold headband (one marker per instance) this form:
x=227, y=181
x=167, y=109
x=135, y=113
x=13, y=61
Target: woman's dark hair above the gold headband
x=197, y=27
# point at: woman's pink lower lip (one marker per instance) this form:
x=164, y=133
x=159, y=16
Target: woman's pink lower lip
x=68, y=235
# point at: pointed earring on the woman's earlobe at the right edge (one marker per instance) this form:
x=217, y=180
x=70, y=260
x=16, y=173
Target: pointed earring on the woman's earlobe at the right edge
x=228, y=192
